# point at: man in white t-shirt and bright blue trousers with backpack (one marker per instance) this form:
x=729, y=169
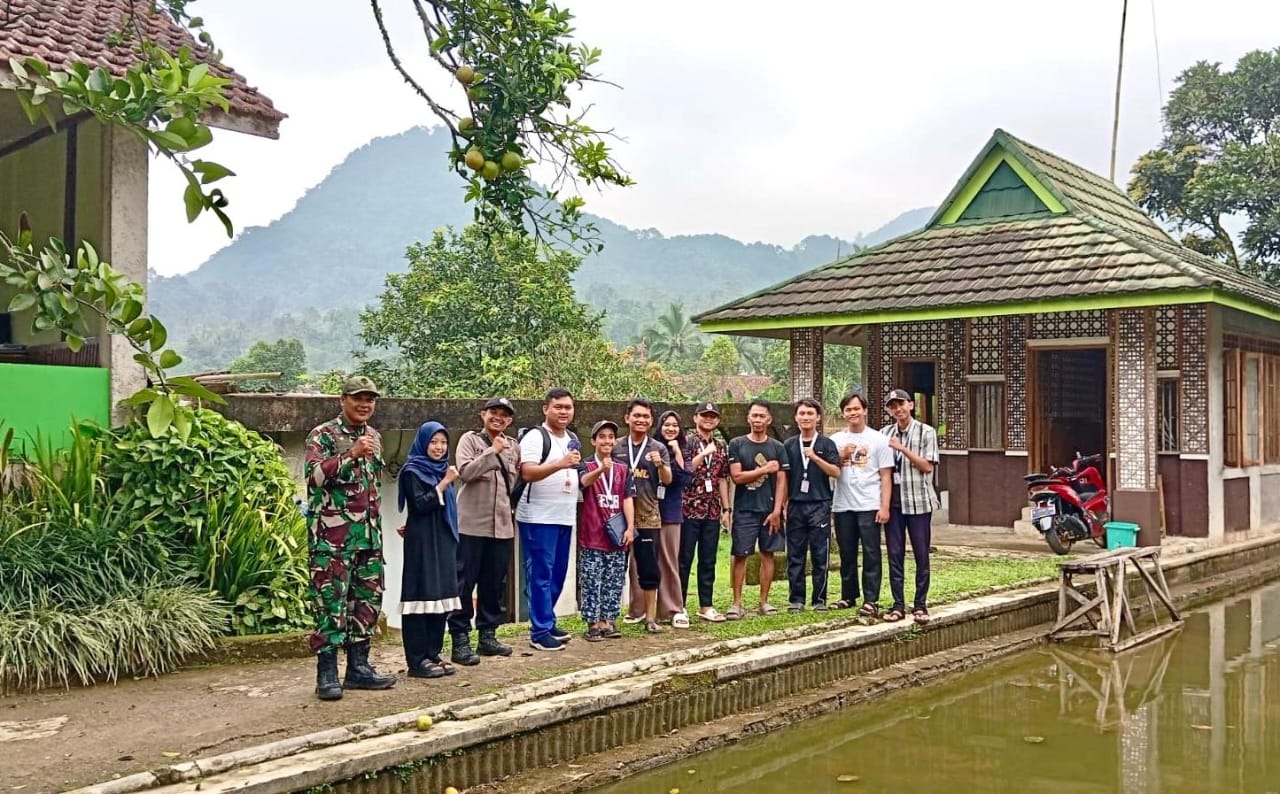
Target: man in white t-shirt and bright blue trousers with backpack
x=550, y=458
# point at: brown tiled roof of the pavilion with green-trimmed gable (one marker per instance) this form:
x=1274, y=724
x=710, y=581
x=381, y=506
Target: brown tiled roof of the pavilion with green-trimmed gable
x=1098, y=245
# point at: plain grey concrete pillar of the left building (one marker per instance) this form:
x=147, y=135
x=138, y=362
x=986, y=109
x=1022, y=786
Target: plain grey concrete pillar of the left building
x=125, y=245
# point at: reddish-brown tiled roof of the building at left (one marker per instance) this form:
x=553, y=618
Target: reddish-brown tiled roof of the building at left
x=62, y=33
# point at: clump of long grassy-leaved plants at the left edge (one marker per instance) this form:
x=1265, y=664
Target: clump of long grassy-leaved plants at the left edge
x=86, y=590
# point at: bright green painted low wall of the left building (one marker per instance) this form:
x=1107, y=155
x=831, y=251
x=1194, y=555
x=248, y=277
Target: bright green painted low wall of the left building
x=47, y=400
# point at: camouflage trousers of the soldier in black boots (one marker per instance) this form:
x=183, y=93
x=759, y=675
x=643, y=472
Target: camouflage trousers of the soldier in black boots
x=346, y=594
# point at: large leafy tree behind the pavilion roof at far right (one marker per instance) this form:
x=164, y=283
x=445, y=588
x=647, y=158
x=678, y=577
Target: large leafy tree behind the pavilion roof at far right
x=1220, y=161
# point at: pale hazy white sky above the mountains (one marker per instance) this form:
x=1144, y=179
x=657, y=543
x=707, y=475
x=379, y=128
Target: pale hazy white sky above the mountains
x=761, y=121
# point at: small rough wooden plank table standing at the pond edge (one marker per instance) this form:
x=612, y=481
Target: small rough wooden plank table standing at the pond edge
x=1108, y=613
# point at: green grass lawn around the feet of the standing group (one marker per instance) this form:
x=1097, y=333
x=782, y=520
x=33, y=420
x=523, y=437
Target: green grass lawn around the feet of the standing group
x=953, y=579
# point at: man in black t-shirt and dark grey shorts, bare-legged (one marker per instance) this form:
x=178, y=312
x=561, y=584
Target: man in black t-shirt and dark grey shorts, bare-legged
x=758, y=467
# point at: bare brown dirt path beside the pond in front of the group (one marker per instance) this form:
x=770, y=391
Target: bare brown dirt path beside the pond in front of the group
x=60, y=740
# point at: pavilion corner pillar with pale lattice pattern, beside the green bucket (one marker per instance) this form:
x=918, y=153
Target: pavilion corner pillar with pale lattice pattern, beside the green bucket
x=1135, y=395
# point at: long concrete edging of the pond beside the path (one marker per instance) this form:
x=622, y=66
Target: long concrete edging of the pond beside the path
x=365, y=749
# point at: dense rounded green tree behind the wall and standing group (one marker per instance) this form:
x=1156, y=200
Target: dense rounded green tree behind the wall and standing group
x=487, y=311
